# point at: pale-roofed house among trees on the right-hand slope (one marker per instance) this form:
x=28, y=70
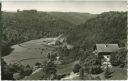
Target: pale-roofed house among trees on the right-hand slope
x=105, y=50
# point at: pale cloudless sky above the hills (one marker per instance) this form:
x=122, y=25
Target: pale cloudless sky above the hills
x=94, y=7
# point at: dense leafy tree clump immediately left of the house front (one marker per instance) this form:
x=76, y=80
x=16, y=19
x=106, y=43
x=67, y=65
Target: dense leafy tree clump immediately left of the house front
x=91, y=63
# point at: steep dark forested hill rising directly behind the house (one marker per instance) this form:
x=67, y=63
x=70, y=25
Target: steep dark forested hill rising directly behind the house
x=108, y=27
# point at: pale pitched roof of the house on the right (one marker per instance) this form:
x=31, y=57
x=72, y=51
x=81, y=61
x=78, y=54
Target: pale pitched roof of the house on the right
x=107, y=47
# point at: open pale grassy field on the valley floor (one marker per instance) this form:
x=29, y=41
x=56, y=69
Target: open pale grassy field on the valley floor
x=32, y=52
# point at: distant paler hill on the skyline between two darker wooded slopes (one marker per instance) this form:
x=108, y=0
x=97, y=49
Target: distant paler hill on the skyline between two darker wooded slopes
x=73, y=17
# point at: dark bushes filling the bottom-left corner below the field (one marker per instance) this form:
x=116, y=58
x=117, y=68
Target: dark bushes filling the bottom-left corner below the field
x=9, y=71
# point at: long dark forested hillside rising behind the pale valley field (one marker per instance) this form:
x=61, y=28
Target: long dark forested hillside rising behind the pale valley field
x=30, y=24
